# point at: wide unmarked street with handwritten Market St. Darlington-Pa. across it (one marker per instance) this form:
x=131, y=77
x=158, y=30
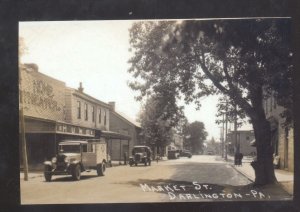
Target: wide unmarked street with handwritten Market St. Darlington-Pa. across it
x=200, y=178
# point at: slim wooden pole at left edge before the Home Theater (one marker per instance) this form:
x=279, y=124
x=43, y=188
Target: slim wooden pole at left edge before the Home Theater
x=22, y=126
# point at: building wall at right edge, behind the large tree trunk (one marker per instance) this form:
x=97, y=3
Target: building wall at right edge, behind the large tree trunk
x=282, y=137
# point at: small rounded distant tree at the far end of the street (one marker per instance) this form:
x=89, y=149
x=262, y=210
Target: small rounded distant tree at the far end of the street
x=195, y=135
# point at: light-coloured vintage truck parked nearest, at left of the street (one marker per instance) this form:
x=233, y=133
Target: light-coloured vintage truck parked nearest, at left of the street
x=76, y=156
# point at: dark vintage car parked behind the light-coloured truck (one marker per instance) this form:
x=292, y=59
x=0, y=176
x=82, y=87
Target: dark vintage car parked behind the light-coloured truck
x=140, y=154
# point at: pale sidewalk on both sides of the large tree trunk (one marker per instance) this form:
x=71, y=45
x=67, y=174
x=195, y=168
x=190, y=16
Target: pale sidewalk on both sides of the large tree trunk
x=285, y=178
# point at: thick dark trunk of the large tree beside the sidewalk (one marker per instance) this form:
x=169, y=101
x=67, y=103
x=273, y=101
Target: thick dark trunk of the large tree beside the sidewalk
x=263, y=167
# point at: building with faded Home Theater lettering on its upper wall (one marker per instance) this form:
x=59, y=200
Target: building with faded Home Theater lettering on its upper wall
x=43, y=107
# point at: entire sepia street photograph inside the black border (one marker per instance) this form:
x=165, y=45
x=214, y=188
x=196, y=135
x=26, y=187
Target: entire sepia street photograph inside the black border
x=162, y=110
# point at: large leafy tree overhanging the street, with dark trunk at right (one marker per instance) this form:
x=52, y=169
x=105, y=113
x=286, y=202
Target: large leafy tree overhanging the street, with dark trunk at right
x=243, y=60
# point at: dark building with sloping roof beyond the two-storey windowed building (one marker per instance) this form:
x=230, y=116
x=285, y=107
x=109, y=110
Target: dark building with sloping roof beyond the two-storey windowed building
x=122, y=124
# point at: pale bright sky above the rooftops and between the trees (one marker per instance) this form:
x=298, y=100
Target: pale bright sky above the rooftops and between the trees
x=96, y=54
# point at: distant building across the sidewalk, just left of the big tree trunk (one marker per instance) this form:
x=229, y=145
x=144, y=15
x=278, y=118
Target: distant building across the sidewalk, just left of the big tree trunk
x=243, y=143
